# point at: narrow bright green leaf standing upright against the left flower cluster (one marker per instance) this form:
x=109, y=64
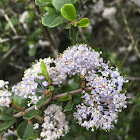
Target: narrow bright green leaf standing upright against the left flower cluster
x=45, y=71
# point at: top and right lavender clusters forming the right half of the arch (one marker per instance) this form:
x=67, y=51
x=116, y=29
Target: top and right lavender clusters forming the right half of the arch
x=104, y=99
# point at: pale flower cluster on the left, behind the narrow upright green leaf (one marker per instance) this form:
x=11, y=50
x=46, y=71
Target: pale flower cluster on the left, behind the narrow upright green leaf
x=32, y=83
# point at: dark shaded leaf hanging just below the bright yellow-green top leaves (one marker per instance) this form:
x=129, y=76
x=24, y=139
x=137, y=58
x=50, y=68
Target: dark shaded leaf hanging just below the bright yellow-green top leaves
x=73, y=33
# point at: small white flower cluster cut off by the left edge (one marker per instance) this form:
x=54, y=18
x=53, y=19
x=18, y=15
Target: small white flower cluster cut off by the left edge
x=4, y=94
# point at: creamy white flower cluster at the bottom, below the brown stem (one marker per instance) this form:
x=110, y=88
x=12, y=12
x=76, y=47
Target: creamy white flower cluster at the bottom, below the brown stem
x=54, y=124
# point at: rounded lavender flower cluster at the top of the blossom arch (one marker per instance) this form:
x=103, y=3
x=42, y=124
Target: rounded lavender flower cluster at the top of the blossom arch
x=78, y=59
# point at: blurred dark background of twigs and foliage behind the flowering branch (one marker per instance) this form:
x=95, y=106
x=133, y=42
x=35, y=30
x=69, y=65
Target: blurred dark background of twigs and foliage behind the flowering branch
x=114, y=30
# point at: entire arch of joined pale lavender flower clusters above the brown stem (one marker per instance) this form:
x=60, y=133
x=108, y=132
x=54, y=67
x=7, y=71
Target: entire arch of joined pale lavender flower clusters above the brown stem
x=104, y=98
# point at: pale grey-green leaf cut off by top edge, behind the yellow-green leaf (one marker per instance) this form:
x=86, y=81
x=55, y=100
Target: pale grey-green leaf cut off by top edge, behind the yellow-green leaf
x=58, y=4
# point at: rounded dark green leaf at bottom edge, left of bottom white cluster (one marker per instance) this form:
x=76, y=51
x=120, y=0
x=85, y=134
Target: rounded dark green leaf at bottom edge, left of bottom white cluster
x=25, y=130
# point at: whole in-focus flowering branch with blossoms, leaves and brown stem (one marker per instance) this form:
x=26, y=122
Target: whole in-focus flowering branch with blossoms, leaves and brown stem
x=101, y=88
